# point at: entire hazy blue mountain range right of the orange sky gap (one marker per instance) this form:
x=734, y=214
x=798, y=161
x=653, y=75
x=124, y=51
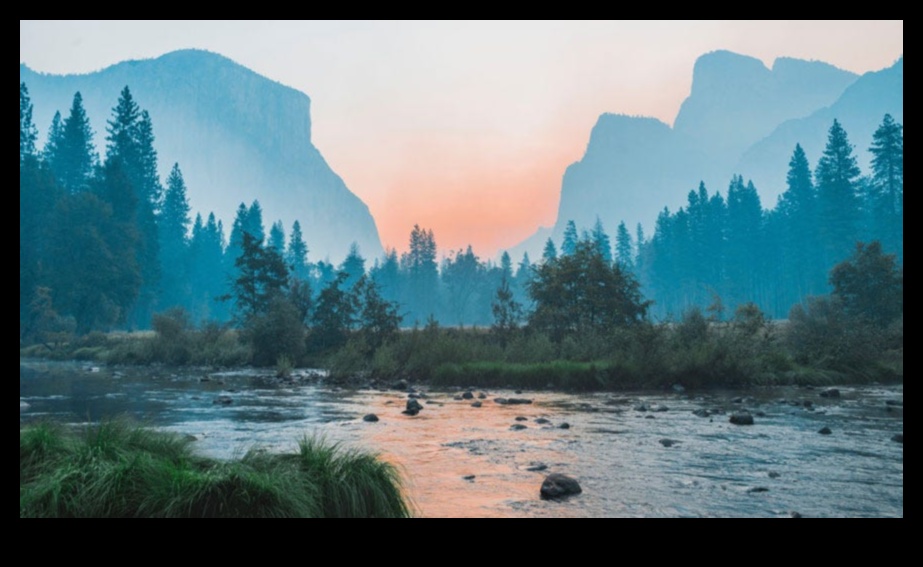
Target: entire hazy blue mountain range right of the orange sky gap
x=740, y=117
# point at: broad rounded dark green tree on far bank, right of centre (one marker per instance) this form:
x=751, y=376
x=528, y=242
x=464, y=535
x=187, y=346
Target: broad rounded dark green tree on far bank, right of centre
x=580, y=293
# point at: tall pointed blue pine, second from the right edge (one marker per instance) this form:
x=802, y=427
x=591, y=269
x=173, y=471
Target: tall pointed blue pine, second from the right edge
x=837, y=174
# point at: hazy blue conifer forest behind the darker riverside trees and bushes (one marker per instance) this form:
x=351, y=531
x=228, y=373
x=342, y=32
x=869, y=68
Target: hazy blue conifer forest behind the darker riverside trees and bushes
x=105, y=244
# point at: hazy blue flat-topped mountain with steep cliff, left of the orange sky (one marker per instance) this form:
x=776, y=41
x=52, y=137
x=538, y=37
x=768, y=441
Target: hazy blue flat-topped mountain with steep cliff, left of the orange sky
x=237, y=136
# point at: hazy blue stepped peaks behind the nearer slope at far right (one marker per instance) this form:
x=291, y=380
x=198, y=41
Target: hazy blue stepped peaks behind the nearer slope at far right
x=635, y=166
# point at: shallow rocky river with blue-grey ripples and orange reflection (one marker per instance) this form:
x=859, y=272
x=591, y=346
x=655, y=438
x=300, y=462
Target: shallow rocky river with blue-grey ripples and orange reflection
x=461, y=461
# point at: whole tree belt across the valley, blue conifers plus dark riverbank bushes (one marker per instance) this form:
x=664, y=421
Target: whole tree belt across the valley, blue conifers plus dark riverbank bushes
x=105, y=245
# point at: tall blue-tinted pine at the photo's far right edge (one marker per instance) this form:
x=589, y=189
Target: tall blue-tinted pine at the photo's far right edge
x=888, y=184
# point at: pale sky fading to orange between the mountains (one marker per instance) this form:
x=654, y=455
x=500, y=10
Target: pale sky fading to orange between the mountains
x=465, y=127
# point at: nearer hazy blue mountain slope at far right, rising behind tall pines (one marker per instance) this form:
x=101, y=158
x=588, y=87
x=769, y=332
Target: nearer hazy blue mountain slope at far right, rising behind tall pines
x=860, y=110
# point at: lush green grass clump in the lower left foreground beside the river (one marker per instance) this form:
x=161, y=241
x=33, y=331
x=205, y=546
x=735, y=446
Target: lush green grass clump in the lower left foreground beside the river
x=119, y=470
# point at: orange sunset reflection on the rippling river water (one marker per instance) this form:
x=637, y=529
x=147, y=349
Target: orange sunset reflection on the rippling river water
x=450, y=441
